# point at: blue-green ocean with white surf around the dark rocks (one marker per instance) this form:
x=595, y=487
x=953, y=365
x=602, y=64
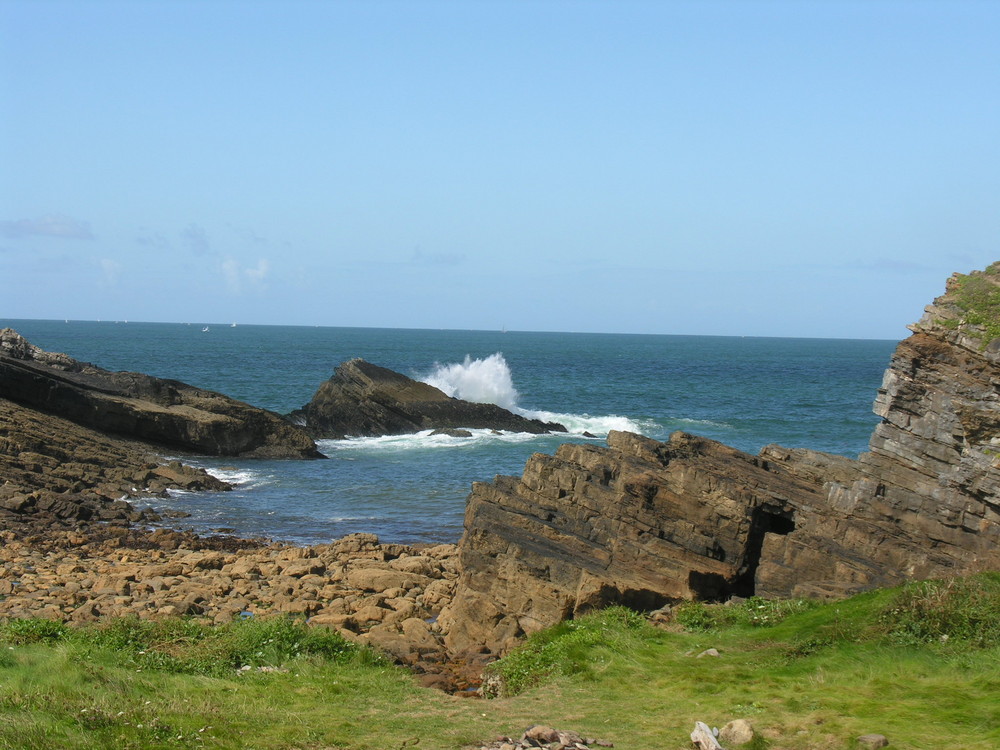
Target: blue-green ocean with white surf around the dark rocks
x=744, y=391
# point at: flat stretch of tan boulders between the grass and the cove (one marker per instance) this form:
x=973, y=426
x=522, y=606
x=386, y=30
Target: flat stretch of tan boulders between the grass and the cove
x=385, y=595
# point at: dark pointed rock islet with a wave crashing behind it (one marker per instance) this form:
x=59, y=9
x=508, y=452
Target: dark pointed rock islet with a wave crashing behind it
x=365, y=400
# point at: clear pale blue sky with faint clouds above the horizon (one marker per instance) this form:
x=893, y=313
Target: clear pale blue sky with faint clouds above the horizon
x=736, y=168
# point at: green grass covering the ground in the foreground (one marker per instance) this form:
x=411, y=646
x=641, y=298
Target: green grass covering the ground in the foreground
x=920, y=664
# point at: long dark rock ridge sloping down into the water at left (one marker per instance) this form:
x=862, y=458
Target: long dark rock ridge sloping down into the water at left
x=164, y=413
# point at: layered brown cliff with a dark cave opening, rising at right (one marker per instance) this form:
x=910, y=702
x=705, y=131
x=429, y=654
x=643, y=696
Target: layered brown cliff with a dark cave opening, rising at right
x=645, y=523
